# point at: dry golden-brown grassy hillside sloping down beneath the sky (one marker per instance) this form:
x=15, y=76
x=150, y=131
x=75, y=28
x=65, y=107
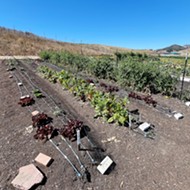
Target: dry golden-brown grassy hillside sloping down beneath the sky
x=14, y=42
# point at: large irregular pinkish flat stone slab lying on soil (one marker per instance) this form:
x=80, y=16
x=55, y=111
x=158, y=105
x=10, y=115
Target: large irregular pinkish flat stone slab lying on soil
x=27, y=177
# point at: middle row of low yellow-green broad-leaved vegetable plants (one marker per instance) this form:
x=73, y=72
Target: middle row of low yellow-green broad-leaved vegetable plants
x=106, y=105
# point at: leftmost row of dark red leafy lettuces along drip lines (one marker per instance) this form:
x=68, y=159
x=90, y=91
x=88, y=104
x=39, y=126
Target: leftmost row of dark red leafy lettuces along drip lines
x=42, y=122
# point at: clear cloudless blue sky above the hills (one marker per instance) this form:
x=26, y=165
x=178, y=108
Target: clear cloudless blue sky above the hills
x=137, y=24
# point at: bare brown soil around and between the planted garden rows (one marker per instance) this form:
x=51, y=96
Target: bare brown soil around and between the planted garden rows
x=140, y=163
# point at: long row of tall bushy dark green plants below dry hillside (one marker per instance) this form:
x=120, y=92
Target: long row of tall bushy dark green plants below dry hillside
x=135, y=70
